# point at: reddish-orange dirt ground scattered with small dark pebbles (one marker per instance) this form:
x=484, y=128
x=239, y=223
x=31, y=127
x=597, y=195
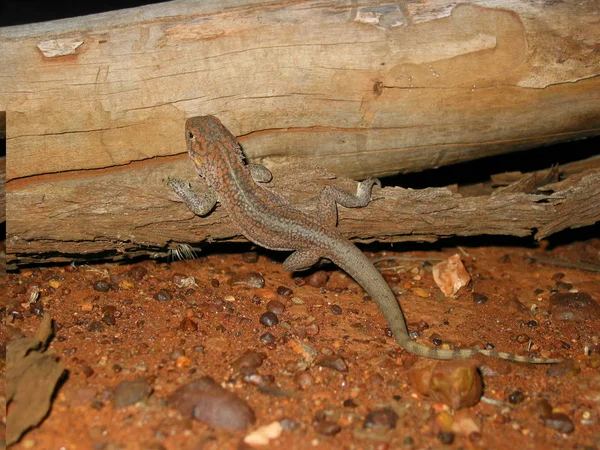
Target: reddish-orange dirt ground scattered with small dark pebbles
x=310, y=355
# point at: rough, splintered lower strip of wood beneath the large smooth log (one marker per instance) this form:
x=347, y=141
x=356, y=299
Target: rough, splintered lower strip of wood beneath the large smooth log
x=99, y=222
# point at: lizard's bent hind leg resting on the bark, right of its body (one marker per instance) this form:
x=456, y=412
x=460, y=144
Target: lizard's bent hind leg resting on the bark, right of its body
x=331, y=196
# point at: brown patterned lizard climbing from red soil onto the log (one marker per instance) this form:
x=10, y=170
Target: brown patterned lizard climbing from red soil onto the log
x=269, y=220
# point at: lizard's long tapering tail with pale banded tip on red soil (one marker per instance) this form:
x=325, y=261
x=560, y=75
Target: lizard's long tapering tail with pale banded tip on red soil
x=358, y=266
